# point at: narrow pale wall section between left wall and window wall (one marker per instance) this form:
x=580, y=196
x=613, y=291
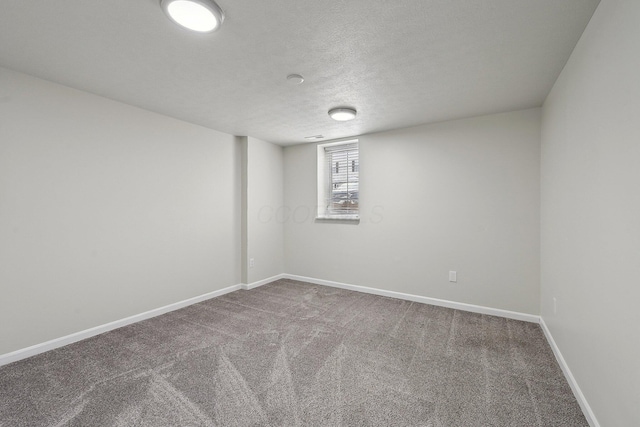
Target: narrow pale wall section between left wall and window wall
x=265, y=235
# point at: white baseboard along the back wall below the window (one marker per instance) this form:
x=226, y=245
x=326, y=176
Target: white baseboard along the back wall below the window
x=425, y=300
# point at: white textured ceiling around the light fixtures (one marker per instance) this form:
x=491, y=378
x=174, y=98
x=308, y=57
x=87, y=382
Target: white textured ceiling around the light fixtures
x=399, y=63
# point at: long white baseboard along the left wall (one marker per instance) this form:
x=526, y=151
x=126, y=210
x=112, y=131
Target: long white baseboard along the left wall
x=24, y=353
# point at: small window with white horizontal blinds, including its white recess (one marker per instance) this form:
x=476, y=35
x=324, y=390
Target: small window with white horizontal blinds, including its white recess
x=339, y=180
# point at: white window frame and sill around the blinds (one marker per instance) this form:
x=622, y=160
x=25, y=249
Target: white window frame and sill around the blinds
x=324, y=183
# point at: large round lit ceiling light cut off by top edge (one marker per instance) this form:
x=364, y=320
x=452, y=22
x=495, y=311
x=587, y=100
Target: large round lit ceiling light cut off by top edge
x=203, y=16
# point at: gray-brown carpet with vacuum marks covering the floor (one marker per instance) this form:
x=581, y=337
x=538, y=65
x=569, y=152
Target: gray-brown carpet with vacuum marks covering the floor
x=291, y=354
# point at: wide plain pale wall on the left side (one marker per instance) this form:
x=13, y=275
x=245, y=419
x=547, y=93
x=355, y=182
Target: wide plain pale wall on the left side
x=106, y=211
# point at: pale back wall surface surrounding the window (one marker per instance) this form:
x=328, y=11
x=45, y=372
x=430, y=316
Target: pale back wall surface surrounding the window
x=460, y=195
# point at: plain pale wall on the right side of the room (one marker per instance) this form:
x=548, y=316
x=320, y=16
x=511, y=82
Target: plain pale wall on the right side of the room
x=591, y=213
